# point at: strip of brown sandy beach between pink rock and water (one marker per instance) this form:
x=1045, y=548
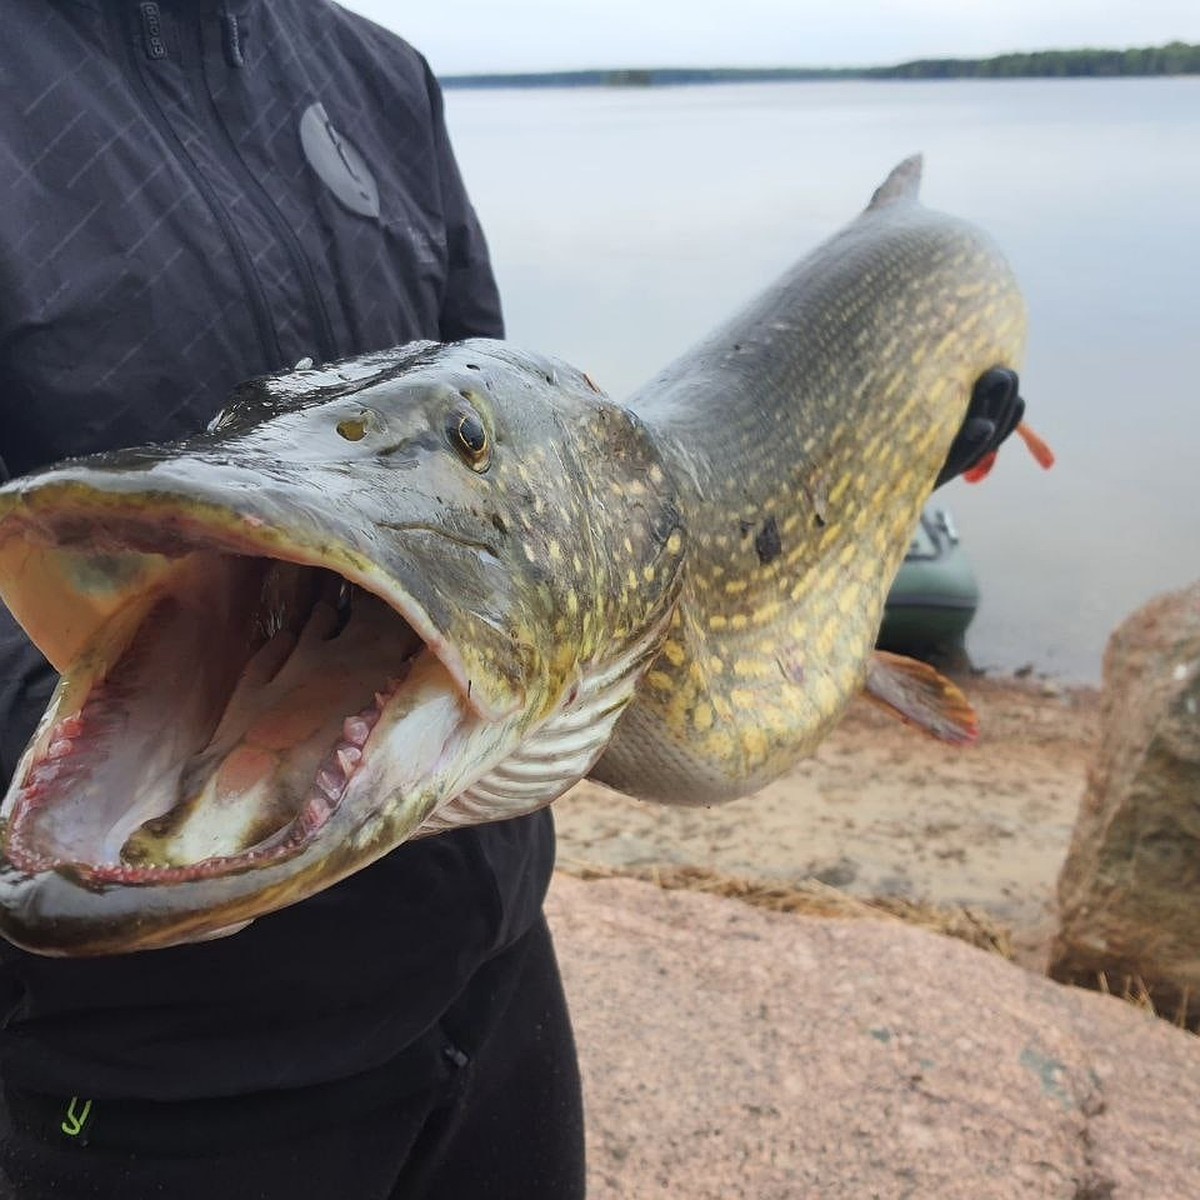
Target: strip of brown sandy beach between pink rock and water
x=885, y=812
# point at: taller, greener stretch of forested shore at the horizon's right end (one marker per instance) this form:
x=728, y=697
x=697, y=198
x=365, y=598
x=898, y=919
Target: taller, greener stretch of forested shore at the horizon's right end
x=1177, y=58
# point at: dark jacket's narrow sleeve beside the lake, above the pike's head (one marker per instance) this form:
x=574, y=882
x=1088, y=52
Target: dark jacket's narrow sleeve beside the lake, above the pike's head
x=471, y=304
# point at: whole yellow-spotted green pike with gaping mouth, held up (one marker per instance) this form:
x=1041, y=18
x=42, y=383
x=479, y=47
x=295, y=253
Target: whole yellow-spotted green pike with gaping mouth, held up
x=439, y=585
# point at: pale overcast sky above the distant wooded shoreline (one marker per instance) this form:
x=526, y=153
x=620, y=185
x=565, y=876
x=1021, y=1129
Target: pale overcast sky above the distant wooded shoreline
x=545, y=35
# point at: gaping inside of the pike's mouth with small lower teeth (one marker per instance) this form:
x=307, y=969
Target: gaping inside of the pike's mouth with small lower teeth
x=215, y=723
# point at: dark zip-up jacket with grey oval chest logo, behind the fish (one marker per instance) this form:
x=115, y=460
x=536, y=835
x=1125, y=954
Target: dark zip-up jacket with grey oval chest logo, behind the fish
x=194, y=194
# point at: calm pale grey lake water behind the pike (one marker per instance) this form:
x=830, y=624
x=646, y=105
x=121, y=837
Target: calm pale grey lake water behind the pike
x=625, y=224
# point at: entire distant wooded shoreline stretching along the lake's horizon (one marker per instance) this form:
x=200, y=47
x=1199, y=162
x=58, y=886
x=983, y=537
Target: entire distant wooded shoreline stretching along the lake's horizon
x=1177, y=58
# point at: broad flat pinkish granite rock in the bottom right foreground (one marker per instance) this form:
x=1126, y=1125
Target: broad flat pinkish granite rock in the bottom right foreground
x=733, y=1053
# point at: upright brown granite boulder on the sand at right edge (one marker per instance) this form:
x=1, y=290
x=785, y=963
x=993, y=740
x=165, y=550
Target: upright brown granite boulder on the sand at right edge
x=1130, y=891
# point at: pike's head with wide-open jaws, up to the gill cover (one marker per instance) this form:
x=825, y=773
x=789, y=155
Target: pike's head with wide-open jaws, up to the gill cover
x=303, y=638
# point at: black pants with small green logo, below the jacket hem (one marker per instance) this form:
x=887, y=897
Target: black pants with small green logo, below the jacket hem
x=488, y=1106
